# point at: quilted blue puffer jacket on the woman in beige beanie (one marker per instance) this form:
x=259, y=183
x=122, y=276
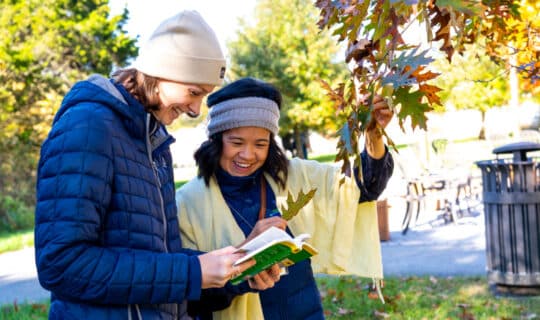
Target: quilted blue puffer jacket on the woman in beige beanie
x=106, y=237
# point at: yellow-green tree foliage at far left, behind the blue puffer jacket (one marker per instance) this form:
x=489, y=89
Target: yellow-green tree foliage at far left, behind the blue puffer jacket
x=45, y=46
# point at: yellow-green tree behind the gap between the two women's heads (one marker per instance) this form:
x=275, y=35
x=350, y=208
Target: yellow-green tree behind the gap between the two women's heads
x=283, y=45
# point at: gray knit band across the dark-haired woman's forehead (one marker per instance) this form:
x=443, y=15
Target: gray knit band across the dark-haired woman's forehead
x=243, y=112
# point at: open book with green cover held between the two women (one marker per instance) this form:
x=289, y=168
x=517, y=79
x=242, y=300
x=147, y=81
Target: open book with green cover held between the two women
x=273, y=246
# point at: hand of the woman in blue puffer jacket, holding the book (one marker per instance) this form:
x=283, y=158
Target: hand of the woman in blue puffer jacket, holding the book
x=217, y=267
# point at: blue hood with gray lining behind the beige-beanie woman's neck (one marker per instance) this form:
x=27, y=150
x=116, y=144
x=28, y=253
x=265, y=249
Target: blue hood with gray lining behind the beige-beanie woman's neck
x=99, y=90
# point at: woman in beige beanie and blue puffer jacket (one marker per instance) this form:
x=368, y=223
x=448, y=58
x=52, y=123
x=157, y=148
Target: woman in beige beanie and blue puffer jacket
x=106, y=235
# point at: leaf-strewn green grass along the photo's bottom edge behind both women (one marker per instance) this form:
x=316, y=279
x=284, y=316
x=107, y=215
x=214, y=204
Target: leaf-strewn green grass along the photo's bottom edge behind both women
x=411, y=298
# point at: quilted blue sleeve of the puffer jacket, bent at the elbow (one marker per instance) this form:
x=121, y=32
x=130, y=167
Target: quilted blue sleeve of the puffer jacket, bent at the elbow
x=75, y=181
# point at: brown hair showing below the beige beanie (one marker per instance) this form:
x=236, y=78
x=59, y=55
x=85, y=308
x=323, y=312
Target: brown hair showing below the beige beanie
x=139, y=85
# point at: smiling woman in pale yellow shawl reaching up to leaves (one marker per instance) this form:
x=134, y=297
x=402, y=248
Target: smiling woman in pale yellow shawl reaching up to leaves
x=242, y=169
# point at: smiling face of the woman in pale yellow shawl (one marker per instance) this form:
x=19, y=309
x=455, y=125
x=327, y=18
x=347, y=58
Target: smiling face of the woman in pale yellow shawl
x=245, y=150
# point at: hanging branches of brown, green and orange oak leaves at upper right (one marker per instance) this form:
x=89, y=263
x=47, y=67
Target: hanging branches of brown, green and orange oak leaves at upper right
x=382, y=62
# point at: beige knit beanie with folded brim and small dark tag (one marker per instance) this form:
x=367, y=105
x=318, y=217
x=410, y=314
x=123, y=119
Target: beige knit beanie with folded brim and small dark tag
x=185, y=49
